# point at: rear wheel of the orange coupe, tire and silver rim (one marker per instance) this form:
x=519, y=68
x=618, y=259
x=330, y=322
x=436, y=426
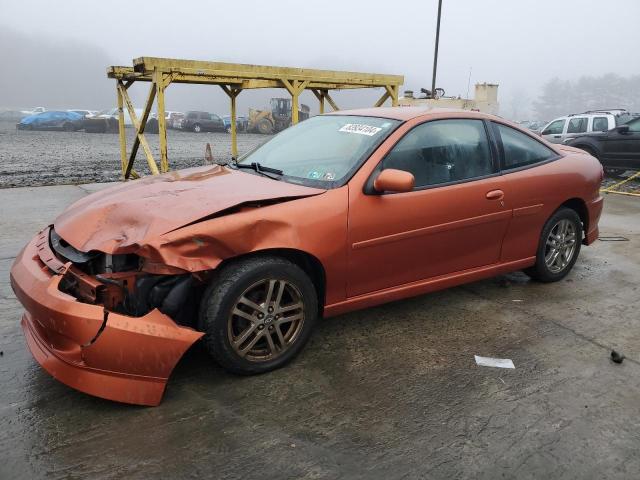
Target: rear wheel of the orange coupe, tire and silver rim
x=558, y=248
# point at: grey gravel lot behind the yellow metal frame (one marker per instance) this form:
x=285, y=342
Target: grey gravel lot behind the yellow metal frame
x=54, y=158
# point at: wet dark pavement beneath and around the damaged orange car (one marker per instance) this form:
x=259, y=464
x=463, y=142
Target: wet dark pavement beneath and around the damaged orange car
x=390, y=392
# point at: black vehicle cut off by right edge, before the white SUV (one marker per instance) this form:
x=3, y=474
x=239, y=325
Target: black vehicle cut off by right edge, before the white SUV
x=617, y=149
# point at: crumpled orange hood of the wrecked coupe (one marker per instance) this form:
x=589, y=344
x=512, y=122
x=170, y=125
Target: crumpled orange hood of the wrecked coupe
x=122, y=218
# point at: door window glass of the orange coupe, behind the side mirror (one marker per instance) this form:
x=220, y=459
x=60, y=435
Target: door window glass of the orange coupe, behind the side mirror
x=443, y=151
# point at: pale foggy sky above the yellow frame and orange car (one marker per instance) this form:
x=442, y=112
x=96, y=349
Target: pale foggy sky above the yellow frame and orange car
x=55, y=54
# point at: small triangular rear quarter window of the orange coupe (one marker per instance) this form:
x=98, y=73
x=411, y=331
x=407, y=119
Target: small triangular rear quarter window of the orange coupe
x=519, y=149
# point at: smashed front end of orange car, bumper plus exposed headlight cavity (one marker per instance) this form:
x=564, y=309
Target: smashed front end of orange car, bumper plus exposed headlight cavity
x=113, y=326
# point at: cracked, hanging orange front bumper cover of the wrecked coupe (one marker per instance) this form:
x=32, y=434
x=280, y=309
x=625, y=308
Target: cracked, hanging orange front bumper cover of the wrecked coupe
x=102, y=353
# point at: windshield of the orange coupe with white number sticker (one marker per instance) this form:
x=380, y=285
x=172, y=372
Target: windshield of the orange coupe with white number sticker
x=322, y=151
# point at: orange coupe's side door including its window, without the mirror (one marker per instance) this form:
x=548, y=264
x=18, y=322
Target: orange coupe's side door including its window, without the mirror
x=454, y=219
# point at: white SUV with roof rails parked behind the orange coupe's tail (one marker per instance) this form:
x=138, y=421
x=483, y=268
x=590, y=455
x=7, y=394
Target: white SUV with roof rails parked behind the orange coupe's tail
x=593, y=121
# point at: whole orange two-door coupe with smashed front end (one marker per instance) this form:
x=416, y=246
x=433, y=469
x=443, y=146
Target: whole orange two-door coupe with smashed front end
x=340, y=212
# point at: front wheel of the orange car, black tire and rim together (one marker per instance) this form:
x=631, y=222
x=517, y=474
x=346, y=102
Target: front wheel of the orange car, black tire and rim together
x=257, y=314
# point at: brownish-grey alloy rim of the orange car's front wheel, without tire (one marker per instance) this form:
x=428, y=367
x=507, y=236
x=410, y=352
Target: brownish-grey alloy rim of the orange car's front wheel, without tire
x=266, y=320
